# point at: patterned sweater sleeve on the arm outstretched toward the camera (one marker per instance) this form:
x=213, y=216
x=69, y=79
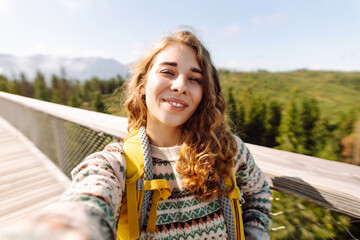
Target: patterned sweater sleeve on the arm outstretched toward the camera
x=89, y=209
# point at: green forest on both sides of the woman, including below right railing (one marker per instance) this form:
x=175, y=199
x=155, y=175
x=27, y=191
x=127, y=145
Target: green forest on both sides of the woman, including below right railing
x=316, y=113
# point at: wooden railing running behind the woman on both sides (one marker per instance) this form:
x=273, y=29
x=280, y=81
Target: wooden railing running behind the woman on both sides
x=334, y=185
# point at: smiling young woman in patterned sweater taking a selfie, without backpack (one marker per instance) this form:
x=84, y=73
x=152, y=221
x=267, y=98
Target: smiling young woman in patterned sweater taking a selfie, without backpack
x=174, y=95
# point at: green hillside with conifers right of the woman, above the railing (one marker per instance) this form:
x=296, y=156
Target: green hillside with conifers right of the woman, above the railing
x=308, y=112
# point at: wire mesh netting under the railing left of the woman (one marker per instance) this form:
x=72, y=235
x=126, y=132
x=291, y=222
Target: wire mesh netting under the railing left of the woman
x=64, y=142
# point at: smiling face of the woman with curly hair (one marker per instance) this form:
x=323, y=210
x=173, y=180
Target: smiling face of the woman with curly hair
x=174, y=87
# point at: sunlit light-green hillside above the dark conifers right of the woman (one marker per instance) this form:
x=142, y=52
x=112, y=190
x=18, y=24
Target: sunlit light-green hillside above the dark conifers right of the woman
x=334, y=96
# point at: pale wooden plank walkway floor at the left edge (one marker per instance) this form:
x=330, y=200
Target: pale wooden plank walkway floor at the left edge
x=28, y=179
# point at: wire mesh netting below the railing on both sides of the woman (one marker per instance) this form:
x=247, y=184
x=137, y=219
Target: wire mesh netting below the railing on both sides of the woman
x=67, y=143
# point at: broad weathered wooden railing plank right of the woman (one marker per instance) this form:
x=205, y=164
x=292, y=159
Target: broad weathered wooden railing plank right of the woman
x=335, y=185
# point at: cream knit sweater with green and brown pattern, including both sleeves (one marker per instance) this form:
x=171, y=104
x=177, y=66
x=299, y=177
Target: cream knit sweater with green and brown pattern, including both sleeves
x=90, y=207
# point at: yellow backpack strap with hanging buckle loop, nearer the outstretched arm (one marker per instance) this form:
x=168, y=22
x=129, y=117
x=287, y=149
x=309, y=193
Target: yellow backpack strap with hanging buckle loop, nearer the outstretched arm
x=139, y=186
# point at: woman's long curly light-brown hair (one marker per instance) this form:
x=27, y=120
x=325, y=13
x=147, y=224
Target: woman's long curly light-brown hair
x=208, y=148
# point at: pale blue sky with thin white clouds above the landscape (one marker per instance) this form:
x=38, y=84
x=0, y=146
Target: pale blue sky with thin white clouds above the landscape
x=274, y=35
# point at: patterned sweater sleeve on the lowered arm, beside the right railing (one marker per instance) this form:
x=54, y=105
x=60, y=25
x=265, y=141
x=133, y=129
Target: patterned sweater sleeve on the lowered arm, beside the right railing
x=251, y=180
